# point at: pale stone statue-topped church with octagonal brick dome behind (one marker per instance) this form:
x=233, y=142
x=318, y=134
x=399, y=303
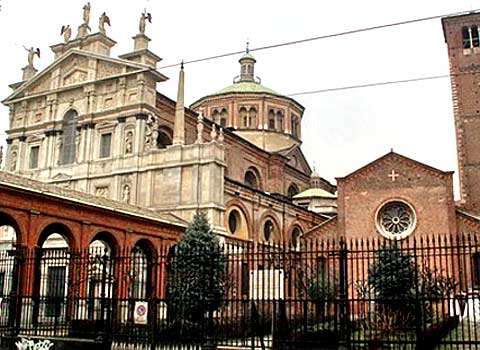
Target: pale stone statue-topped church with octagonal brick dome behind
x=98, y=124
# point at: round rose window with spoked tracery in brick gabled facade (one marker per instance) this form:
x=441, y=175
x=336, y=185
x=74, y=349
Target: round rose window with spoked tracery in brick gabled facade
x=396, y=220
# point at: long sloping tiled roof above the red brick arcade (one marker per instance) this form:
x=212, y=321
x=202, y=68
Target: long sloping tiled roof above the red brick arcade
x=11, y=180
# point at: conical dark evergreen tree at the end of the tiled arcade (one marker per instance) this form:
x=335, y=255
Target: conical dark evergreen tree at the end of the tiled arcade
x=197, y=274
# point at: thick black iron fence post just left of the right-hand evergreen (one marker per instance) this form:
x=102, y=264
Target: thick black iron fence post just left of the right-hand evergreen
x=343, y=297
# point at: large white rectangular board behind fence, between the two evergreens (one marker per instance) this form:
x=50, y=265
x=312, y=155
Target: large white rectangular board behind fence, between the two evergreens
x=267, y=284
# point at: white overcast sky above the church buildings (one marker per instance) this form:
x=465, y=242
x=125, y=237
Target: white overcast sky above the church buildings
x=342, y=130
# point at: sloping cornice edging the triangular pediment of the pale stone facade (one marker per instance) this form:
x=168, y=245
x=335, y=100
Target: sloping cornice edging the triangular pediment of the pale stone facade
x=73, y=52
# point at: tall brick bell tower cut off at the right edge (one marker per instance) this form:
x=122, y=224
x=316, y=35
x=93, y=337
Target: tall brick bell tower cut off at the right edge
x=462, y=37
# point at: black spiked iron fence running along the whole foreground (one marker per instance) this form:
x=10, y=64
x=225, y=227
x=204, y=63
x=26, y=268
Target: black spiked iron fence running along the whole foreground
x=325, y=294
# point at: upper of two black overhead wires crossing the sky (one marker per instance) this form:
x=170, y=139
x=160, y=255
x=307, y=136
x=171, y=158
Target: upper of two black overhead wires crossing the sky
x=301, y=41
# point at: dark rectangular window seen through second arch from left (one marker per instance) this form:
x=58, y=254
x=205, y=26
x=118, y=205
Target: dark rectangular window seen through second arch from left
x=55, y=293
